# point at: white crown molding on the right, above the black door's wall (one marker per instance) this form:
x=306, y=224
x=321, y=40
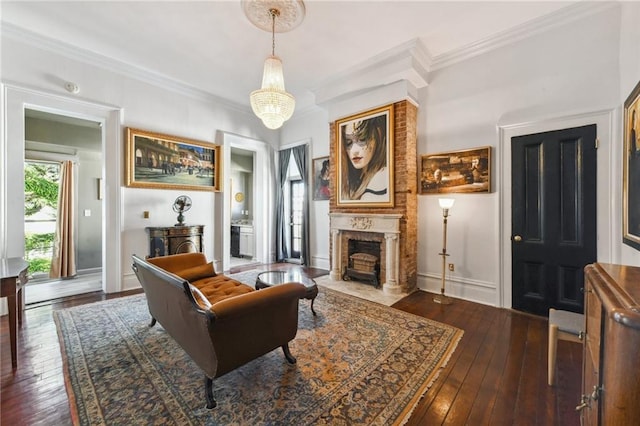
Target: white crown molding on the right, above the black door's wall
x=563, y=16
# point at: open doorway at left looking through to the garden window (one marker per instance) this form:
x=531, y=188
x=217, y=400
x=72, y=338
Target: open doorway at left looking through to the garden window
x=50, y=140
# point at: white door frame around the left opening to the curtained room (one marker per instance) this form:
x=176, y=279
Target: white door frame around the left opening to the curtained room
x=15, y=99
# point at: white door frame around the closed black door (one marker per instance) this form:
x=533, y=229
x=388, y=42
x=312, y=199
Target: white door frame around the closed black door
x=606, y=165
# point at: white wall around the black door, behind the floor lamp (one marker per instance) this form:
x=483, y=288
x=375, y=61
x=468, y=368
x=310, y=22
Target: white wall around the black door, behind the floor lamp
x=554, y=77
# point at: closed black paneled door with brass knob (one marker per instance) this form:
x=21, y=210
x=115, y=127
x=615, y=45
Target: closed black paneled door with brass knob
x=553, y=217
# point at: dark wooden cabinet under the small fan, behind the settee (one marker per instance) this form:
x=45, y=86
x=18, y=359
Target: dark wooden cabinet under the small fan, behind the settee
x=168, y=240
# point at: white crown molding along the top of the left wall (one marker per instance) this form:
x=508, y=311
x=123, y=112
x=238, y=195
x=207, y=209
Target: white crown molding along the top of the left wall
x=110, y=64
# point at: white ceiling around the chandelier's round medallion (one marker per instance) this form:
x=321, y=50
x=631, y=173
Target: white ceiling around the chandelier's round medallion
x=212, y=46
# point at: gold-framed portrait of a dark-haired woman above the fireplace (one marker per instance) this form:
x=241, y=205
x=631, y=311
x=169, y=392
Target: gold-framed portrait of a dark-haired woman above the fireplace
x=364, y=151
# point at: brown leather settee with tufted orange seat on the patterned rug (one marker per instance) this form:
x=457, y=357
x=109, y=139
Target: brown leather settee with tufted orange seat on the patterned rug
x=220, y=322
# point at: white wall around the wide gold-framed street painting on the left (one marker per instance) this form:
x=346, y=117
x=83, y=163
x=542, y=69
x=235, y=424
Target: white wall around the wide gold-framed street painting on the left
x=179, y=111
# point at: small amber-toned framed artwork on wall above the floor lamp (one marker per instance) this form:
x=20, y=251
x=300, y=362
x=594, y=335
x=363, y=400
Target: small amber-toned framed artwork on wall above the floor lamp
x=456, y=171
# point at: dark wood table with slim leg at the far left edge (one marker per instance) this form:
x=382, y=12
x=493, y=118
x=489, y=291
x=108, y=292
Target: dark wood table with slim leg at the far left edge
x=13, y=275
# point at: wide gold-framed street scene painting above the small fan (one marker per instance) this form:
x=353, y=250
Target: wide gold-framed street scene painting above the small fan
x=162, y=161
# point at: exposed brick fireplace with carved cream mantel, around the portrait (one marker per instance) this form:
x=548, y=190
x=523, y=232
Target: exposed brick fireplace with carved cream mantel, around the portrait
x=394, y=228
